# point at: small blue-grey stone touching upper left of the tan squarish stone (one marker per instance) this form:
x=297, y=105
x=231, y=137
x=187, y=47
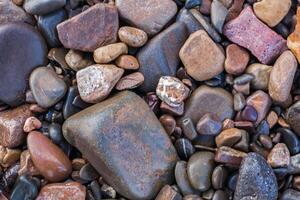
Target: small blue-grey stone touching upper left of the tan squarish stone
x=189, y=20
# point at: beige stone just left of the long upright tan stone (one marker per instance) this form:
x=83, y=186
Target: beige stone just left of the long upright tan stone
x=261, y=76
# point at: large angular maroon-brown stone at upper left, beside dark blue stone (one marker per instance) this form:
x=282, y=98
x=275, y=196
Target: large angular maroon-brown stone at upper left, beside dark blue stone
x=91, y=29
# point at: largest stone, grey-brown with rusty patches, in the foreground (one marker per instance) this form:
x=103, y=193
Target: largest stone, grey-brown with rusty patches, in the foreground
x=116, y=129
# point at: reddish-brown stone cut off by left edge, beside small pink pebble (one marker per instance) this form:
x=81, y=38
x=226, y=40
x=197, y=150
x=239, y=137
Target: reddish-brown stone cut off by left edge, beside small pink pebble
x=11, y=126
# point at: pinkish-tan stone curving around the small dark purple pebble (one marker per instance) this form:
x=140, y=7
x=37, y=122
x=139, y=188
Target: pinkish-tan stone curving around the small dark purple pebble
x=261, y=102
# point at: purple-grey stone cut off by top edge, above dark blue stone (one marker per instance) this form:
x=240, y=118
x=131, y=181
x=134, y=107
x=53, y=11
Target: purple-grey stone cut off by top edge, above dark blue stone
x=41, y=7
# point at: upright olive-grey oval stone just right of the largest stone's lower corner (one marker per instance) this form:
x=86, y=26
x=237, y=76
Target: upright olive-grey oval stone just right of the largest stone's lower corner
x=199, y=169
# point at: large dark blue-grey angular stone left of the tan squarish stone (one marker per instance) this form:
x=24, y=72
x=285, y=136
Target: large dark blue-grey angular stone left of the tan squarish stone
x=159, y=57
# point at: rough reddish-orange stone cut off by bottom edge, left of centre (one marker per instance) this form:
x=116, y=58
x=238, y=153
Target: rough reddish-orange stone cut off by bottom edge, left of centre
x=62, y=191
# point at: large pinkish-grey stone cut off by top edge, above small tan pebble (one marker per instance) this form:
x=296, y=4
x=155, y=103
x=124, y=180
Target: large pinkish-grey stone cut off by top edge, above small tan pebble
x=148, y=15
